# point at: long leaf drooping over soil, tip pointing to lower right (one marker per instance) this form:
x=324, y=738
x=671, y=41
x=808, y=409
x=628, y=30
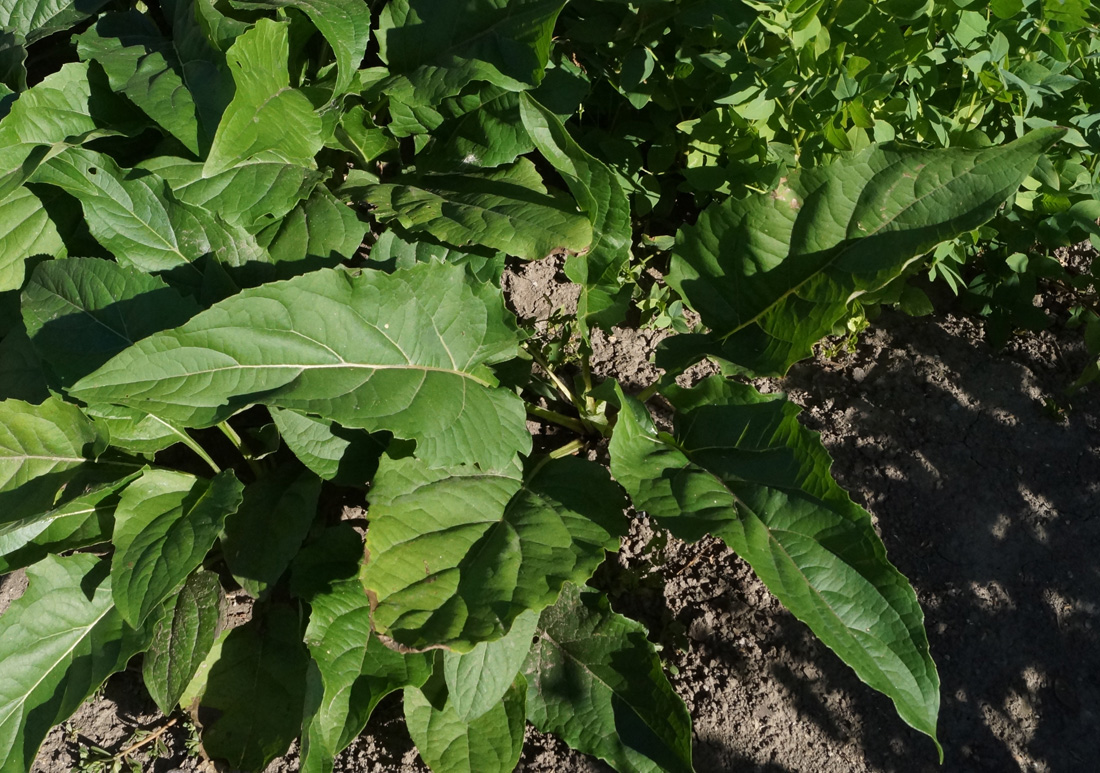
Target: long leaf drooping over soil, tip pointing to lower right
x=742, y=468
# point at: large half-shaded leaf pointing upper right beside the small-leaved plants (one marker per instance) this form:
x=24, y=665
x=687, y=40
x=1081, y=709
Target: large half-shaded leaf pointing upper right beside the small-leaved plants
x=772, y=274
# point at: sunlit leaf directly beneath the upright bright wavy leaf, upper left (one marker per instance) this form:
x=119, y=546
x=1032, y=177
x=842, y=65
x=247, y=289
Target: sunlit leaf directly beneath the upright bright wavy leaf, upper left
x=250, y=195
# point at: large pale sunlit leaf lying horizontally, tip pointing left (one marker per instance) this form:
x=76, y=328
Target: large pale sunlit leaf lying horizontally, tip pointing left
x=406, y=352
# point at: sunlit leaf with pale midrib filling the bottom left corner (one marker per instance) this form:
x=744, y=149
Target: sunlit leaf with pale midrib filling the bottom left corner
x=59, y=643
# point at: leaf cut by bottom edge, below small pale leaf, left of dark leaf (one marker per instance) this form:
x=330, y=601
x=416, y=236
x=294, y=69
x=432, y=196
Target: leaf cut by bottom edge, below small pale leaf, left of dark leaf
x=491, y=744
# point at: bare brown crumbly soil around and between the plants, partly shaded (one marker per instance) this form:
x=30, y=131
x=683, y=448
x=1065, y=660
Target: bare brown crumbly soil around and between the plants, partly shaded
x=987, y=500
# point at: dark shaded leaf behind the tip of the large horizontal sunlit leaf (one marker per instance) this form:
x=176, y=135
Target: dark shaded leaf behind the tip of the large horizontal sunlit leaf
x=81, y=313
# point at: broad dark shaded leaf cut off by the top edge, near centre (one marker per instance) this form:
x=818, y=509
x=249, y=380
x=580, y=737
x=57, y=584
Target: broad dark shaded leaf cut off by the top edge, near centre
x=442, y=47
